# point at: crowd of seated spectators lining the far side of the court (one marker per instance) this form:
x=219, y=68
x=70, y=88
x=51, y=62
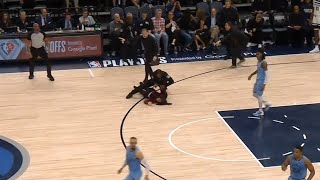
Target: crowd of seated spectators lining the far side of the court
x=176, y=30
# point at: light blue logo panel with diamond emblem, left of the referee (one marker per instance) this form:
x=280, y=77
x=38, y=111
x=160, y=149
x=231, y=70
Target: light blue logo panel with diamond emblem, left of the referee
x=10, y=48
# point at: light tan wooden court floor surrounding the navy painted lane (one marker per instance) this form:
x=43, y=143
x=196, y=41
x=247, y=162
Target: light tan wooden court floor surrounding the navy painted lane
x=70, y=127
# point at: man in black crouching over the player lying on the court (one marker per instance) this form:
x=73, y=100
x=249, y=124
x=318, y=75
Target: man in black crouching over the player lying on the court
x=159, y=78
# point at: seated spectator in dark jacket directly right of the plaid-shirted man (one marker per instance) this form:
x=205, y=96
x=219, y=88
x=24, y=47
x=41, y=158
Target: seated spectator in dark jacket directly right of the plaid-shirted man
x=173, y=31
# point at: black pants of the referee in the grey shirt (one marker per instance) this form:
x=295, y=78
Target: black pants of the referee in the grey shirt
x=35, y=52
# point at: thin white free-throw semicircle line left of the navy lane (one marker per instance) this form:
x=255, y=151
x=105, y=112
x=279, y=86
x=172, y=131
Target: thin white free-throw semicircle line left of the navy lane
x=202, y=157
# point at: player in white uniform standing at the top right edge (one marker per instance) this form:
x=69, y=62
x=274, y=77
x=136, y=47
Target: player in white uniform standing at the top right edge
x=316, y=24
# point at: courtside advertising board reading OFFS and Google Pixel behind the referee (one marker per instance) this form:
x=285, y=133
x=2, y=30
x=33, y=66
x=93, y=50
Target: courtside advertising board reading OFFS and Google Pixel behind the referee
x=58, y=47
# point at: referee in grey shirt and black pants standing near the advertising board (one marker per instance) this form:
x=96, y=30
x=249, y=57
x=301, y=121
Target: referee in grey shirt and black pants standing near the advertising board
x=37, y=41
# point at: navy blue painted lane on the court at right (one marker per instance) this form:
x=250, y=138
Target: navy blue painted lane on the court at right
x=278, y=132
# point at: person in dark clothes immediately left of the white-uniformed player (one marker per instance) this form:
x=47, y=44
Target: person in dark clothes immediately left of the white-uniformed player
x=307, y=9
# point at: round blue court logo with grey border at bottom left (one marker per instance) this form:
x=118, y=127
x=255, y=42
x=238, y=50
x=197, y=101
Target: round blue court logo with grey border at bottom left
x=14, y=159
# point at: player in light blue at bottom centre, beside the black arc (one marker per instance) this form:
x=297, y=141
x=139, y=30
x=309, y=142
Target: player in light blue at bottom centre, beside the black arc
x=134, y=158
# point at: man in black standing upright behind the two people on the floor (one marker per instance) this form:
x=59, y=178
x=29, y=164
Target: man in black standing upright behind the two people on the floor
x=150, y=52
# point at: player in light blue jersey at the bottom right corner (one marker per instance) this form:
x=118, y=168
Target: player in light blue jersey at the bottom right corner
x=298, y=165
